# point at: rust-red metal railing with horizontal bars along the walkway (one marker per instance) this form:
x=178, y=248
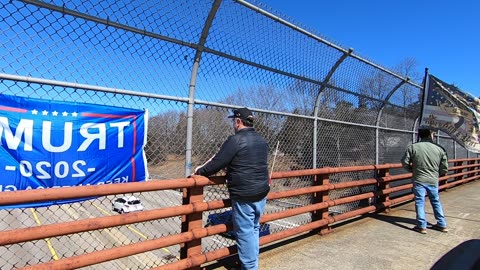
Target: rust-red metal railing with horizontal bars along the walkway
x=197, y=240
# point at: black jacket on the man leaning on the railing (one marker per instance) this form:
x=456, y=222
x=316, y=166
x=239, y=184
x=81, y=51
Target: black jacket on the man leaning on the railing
x=245, y=155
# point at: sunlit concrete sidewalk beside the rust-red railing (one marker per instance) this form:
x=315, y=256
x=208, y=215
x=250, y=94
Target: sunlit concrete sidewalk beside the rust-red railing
x=386, y=241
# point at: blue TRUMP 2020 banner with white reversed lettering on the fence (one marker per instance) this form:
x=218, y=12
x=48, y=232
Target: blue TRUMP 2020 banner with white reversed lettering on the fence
x=48, y=144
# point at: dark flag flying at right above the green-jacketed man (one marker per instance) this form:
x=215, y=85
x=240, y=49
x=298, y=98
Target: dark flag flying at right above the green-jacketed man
x=452, y=111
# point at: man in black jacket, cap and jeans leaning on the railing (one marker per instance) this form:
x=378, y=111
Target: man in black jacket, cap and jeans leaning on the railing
x=245, y=155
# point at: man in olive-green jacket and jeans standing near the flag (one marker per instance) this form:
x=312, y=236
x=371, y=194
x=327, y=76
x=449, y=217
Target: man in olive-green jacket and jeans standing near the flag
x=427, y=161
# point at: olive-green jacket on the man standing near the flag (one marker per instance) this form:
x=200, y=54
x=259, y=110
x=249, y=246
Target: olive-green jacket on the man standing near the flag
x=426, y=160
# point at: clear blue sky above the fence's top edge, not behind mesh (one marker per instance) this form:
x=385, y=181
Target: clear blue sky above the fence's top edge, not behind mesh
x=441, y=35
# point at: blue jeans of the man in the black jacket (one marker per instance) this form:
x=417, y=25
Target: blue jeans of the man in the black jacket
x=246, y=224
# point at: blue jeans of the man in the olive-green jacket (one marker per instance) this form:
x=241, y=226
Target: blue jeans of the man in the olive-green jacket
x=419, y=190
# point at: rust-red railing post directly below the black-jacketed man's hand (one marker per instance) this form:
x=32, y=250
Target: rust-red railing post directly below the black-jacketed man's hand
x=190, y=222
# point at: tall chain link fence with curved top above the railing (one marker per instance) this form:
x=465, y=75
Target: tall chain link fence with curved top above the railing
x=189, y=63
